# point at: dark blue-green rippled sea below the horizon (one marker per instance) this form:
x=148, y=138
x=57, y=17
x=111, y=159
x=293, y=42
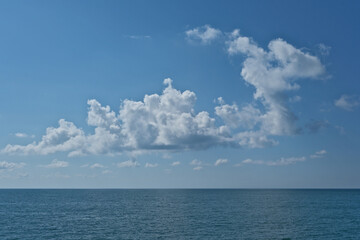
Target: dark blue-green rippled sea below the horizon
x=179, y=214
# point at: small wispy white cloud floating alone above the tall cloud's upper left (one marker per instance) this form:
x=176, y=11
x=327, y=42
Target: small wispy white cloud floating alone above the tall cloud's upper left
x=204, y=34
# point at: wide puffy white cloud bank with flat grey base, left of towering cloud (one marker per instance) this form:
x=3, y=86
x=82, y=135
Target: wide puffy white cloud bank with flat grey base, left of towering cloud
x=159, y=122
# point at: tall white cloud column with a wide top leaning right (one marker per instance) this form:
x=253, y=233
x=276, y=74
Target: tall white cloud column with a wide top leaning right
x=273, y=73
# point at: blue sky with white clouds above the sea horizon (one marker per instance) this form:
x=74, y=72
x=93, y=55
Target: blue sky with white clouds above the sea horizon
x=179, y=94
